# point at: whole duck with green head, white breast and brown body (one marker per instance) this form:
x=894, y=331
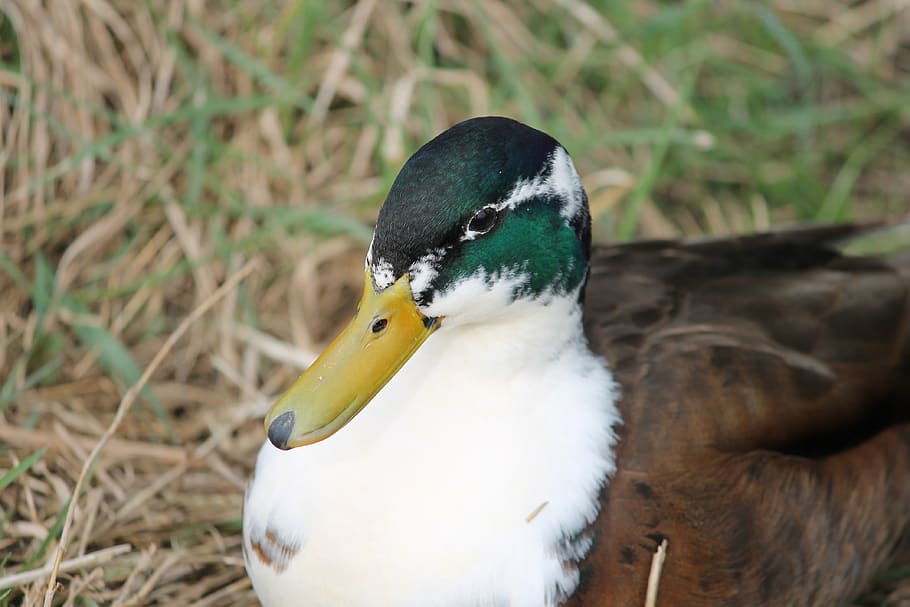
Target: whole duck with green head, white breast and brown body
x=516, y=418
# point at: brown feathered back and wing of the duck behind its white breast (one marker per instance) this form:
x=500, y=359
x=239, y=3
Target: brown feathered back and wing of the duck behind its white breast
x=766, y=399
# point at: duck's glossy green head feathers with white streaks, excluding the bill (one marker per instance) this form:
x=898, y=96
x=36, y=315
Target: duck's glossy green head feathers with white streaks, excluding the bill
x=490, y=201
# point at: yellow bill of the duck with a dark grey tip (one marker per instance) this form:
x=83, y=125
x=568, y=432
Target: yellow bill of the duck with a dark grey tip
x=386, y=331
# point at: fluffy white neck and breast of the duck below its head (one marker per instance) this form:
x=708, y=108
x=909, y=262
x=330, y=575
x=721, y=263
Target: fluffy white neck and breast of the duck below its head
x=462, y=483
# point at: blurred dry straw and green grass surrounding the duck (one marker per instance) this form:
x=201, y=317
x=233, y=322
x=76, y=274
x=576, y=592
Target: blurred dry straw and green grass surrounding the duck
x=152, y=149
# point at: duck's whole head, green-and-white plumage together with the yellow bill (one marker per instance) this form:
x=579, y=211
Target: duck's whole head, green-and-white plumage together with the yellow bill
x=489, y=213
